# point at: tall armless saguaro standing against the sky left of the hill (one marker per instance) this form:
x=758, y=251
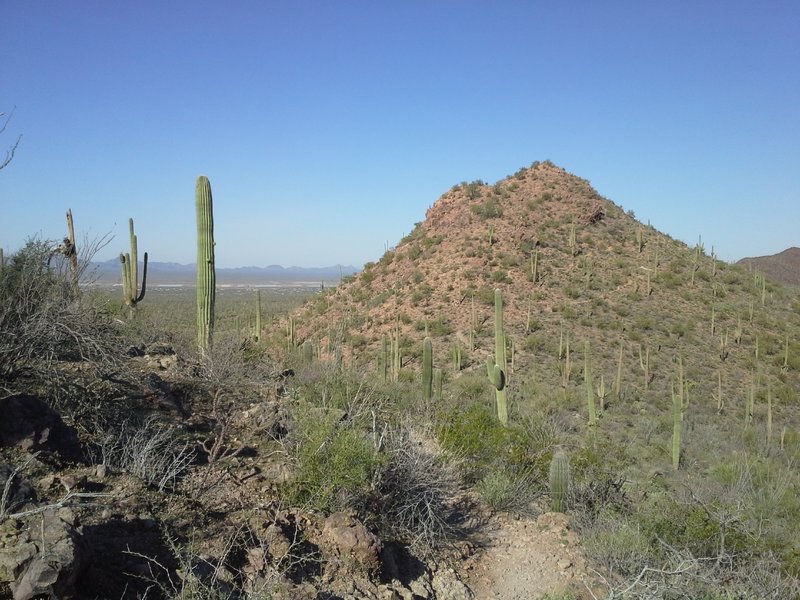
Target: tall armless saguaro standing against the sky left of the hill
x=206, y=273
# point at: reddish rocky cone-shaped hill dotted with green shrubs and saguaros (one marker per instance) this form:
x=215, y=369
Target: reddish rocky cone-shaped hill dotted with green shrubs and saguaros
x=571, y=265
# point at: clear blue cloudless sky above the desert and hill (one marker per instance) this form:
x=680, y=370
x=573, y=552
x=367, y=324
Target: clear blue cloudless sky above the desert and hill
x=327, y=128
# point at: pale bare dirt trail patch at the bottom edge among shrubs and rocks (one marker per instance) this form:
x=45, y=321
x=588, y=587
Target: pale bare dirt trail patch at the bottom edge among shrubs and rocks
x=523, y=559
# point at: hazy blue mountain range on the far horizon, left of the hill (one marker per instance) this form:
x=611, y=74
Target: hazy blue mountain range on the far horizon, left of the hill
x=108, y=272
